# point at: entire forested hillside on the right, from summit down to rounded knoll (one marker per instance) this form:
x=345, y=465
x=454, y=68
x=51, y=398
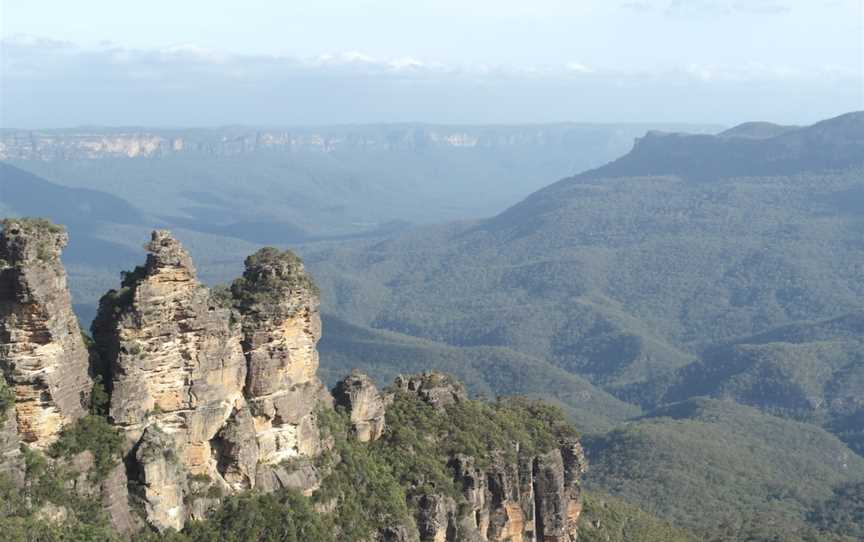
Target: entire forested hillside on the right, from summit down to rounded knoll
x=724, y=266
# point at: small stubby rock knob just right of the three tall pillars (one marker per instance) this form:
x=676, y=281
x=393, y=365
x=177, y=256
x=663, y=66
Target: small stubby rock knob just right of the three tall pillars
x=358, y=395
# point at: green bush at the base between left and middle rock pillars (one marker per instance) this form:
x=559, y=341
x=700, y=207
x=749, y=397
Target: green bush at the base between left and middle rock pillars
x=94, y=434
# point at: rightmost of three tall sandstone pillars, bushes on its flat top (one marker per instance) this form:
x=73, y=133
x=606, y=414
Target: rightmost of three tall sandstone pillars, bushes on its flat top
x=278, y=303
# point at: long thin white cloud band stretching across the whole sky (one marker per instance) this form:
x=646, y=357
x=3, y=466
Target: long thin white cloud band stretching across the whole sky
x=35, y=58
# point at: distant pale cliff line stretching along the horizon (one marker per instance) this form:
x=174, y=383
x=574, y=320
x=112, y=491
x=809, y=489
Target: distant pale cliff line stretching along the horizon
x=133, y=142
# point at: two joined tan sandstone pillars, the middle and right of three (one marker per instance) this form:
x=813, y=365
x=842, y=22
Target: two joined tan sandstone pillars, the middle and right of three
x=227, y=383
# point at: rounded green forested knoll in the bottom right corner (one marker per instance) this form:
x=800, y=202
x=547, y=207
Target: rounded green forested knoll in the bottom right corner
x=722, y=470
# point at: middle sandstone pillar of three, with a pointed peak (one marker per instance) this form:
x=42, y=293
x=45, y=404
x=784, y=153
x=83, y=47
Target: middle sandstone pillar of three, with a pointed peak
x=174, y=357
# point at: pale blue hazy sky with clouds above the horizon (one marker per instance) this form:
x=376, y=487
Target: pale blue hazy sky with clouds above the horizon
x=216, y=62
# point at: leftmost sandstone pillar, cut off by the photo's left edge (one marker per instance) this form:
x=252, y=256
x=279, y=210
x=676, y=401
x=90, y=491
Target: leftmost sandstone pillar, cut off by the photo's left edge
x=42, y=353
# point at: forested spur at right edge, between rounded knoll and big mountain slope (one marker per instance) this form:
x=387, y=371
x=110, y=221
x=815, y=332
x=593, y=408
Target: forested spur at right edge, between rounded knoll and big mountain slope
x=810, y=371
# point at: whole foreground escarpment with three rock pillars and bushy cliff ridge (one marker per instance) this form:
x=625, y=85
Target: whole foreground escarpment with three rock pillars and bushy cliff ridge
x=213, y=394
